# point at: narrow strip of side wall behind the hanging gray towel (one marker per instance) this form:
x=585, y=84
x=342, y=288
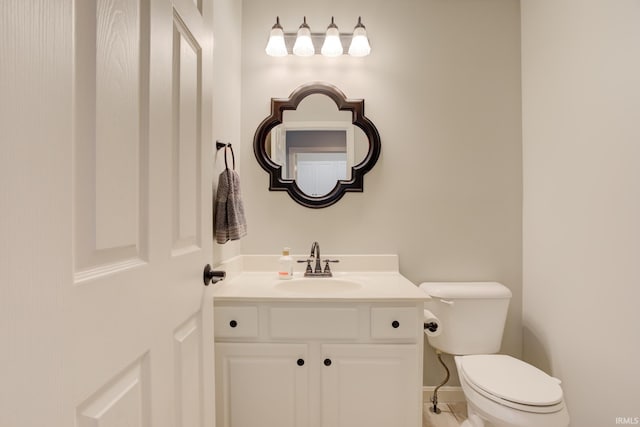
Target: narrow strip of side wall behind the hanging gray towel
x=227, y=34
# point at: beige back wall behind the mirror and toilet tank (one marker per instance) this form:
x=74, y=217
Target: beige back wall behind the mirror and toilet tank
x=442, y=86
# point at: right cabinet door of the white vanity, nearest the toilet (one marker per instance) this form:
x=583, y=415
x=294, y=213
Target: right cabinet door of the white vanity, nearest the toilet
x=370, y=385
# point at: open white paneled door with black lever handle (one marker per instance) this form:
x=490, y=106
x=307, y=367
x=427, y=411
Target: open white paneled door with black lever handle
x=106, y=213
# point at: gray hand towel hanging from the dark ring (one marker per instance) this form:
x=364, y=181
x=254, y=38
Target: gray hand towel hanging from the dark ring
x=229, y=221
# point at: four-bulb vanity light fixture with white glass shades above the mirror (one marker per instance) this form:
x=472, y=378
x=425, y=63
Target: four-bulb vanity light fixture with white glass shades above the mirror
x=305, y=43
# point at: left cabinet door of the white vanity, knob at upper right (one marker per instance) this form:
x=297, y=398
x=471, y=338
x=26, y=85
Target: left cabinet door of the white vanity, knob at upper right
x=262, y=385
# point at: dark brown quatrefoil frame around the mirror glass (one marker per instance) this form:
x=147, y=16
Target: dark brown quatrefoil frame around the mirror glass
x=278, y=107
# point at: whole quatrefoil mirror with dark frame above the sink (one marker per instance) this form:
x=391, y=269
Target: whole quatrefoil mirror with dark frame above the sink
x=316, y=145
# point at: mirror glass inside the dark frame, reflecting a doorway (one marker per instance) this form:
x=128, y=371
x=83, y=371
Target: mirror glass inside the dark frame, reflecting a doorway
x=317, y=145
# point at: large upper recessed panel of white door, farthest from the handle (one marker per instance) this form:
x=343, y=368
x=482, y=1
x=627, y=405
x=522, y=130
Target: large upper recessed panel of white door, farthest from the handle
x=110, y=124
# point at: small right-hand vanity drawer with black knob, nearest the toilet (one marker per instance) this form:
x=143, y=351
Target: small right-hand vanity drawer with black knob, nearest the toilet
x=393, y=323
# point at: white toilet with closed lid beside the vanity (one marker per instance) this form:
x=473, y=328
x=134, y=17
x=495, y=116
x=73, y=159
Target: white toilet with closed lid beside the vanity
x=500, y=390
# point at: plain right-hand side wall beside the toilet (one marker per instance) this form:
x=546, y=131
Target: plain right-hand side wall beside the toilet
x=581, y=113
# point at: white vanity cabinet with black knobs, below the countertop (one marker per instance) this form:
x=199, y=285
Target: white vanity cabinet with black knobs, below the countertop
x=318, y=364
